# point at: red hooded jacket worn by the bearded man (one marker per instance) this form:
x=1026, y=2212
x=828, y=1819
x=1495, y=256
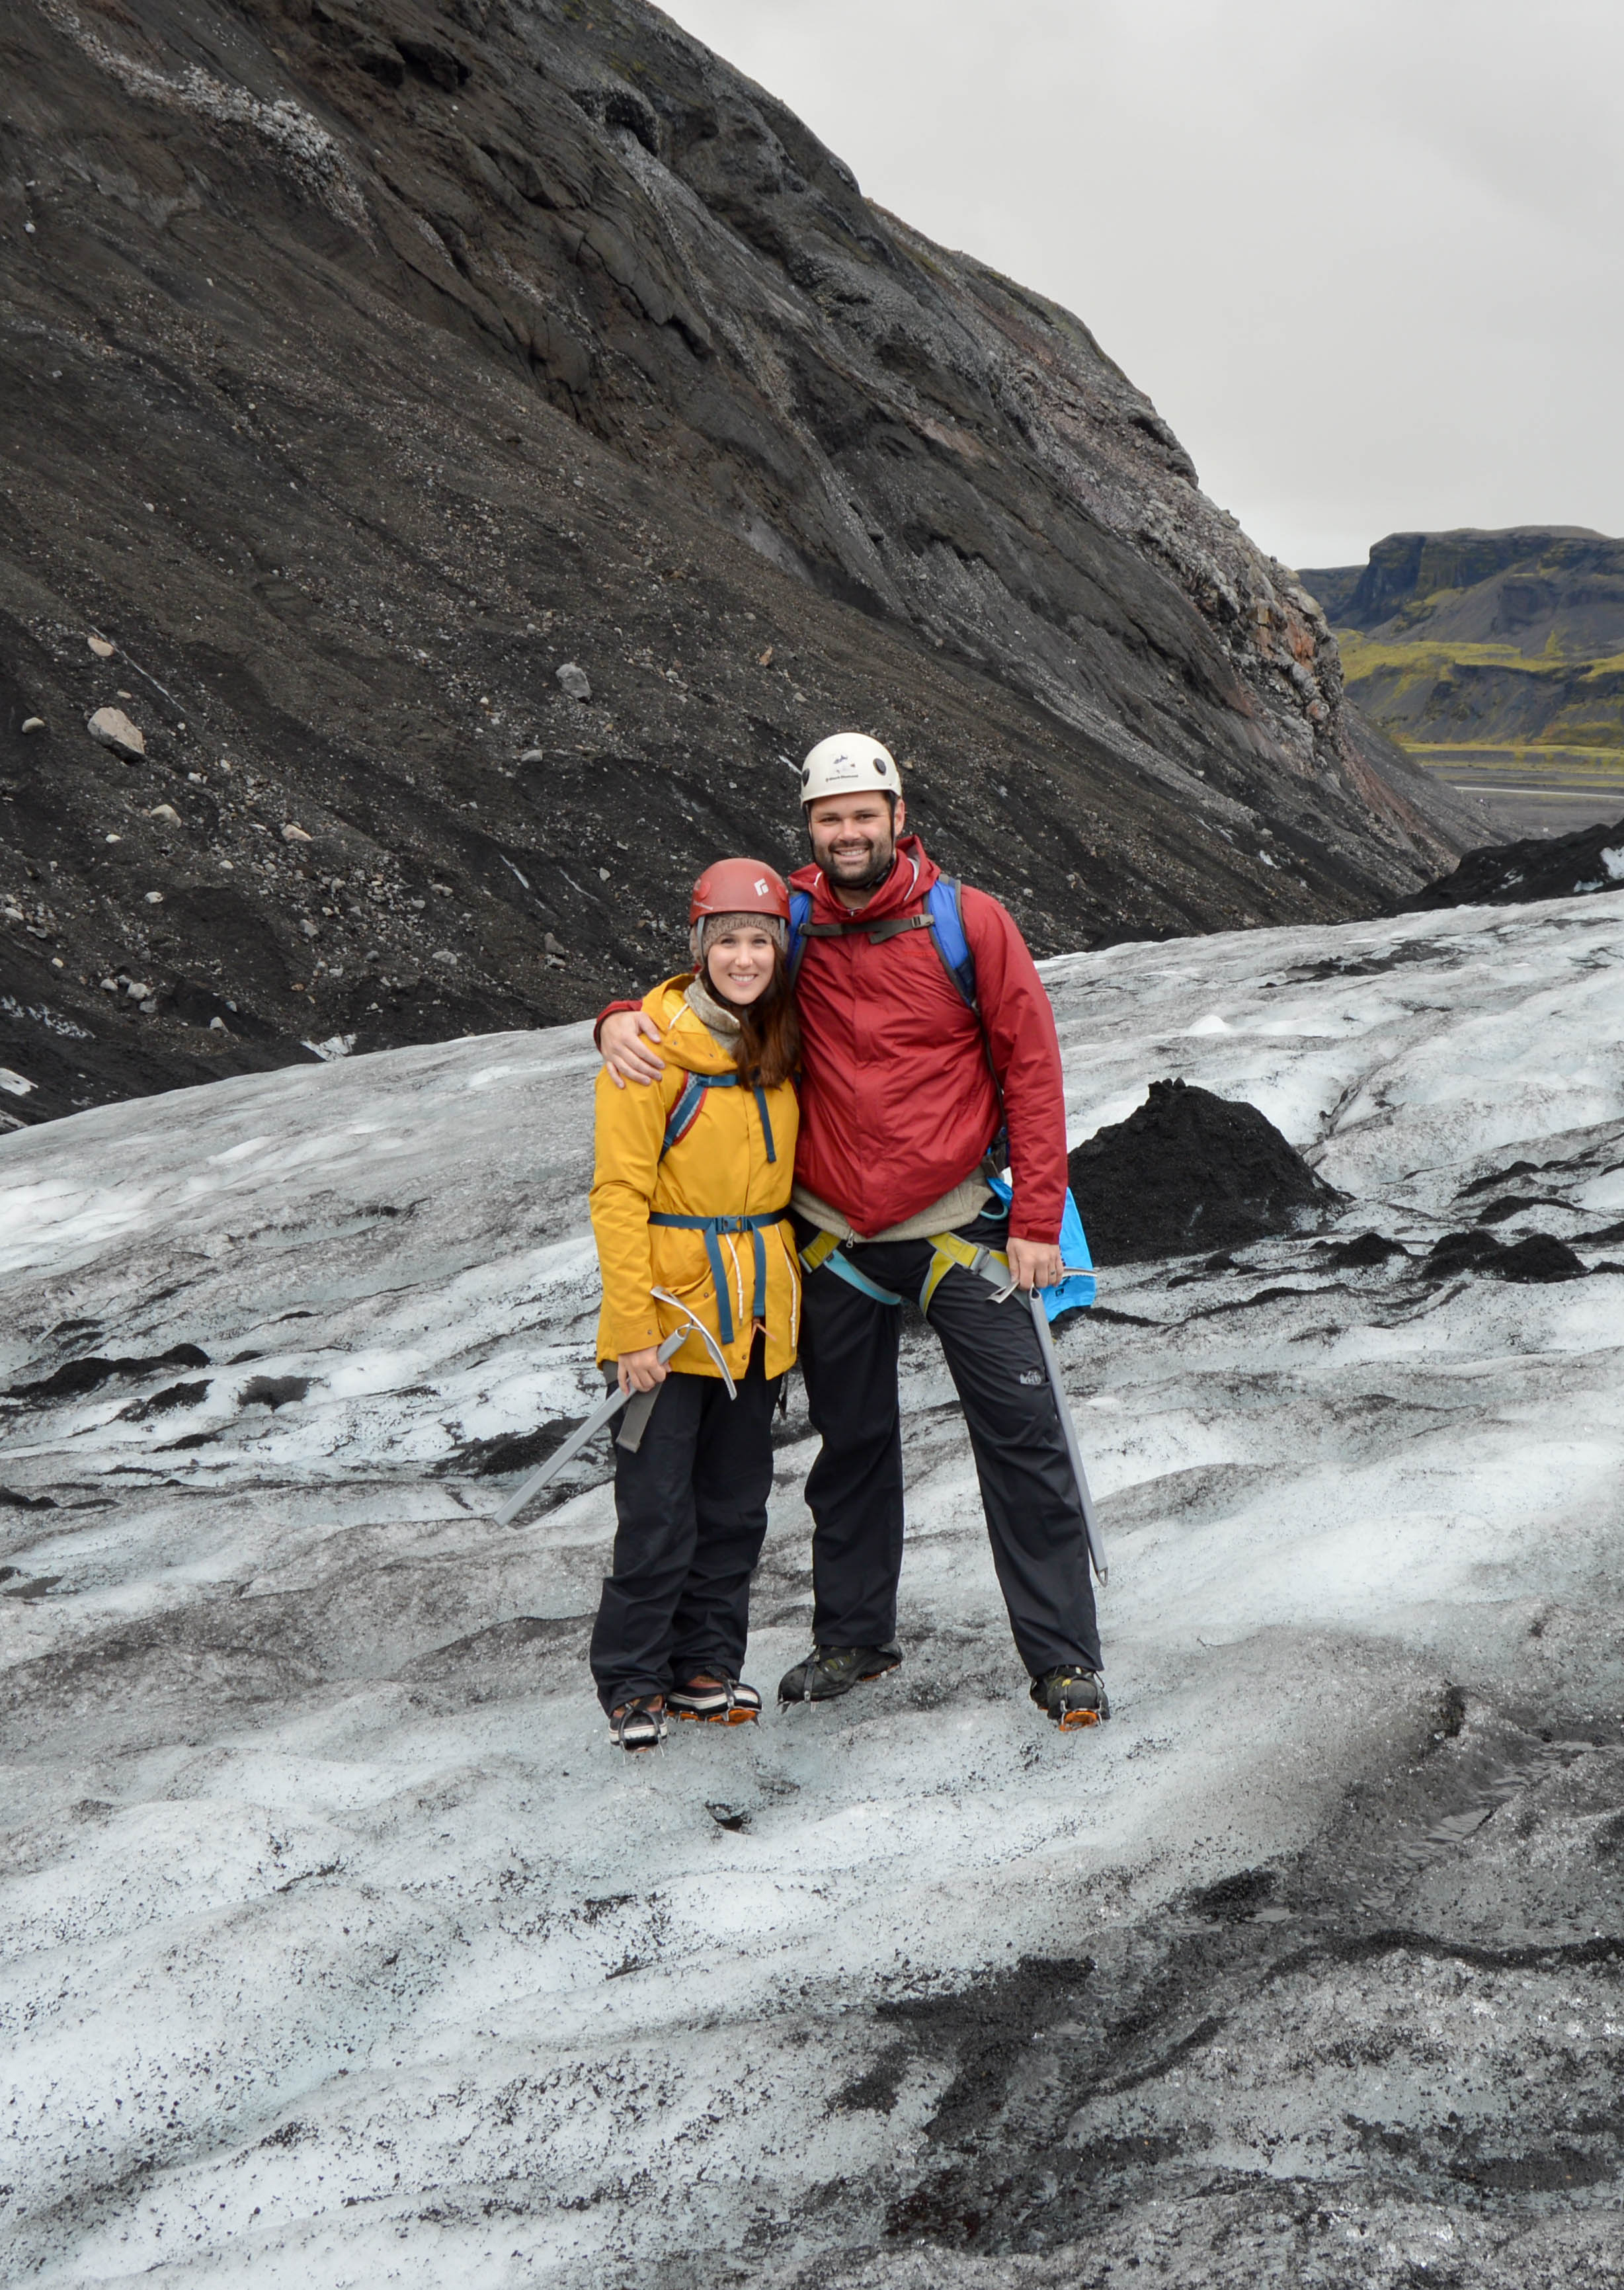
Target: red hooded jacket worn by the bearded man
x=897, y=1096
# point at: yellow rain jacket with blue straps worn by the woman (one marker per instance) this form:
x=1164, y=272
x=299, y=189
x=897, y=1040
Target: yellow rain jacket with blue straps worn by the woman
x=714, y=1176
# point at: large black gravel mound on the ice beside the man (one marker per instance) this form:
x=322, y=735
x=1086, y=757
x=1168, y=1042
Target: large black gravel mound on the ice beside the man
x=1190, y=1171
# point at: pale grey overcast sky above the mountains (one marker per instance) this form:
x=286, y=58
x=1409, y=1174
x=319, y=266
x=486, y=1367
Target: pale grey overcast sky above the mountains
x=1366, y=258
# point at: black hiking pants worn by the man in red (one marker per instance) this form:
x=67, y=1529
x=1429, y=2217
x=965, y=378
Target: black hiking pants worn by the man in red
x=856, y=1487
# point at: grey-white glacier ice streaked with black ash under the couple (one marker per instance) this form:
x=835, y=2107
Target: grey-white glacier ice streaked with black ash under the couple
x=340, y=1948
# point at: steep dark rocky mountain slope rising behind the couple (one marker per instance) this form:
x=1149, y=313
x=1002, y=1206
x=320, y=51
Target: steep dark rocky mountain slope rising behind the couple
x=384, y=358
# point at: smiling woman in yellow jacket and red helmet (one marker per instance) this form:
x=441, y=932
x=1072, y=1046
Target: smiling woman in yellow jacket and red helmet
x=691, y=1213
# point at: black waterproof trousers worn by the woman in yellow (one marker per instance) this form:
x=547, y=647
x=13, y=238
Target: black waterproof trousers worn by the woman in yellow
x=691, y=1519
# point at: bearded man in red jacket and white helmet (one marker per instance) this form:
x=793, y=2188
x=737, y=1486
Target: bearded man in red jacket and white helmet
x=904, y=1093
